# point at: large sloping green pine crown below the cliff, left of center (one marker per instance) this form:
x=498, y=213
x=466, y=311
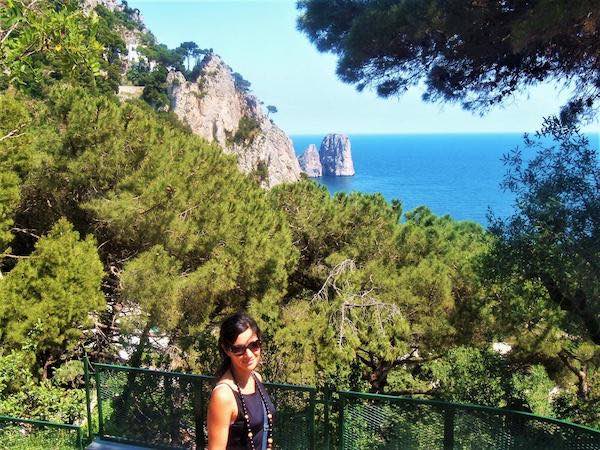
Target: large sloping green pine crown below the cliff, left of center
x=137, y=180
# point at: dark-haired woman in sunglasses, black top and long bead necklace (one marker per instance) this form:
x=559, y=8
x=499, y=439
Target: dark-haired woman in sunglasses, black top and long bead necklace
x=240, y=412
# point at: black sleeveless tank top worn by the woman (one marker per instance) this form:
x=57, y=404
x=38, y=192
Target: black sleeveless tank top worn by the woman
x=238, y=436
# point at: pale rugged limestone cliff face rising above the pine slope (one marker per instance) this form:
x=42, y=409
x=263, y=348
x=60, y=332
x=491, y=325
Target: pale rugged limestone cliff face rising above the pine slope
x=217, y=110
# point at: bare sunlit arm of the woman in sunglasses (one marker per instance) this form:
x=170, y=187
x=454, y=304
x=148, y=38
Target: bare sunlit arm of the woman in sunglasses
x=220, y=410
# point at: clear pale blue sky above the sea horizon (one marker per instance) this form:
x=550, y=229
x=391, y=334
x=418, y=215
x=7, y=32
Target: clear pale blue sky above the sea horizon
x=258, y=38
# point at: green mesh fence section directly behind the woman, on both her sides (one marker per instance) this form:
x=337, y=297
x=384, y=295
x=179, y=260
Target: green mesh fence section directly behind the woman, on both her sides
x=168, y=410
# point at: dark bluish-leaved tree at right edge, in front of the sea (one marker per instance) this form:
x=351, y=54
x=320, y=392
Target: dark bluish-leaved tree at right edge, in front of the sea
x=554, y=237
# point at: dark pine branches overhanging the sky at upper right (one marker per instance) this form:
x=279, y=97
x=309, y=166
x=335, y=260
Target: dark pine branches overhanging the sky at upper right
x=476, y=52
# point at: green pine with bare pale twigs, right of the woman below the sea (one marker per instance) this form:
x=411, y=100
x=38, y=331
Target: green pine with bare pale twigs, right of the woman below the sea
x=390, y=294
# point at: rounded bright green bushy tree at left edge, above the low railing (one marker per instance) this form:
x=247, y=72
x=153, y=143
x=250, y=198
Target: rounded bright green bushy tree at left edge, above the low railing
x=51, y=294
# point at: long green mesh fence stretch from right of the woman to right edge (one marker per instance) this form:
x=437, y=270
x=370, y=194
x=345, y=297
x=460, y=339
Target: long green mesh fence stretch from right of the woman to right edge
x=377, y=422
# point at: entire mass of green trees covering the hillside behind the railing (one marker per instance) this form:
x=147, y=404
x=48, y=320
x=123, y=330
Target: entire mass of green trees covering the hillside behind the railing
x=117, y=225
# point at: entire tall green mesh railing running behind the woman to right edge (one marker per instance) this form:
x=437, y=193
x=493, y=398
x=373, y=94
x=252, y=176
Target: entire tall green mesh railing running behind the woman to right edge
x=168, y=410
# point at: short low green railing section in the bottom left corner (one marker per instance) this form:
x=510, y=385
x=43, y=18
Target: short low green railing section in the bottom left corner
x=27, y=434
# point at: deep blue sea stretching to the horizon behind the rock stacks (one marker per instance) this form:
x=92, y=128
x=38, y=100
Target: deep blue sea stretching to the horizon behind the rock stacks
x=455, y=174
